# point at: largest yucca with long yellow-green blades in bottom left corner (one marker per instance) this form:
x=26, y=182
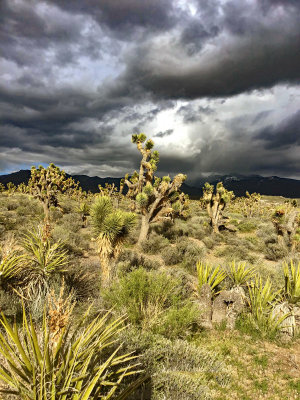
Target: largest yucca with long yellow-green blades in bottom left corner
x=79, y=364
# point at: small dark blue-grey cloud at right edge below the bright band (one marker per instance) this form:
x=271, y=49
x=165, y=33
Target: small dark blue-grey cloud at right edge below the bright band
x=283, y=135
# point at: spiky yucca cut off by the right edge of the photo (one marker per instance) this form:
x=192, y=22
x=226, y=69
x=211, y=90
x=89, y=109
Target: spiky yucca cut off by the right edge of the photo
x=292, y=282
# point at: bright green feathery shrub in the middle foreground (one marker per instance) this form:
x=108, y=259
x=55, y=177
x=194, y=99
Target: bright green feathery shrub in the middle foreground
x=152, y=299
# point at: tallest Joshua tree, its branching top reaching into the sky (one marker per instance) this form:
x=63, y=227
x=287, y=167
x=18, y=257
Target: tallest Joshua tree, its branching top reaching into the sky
x=156, y=198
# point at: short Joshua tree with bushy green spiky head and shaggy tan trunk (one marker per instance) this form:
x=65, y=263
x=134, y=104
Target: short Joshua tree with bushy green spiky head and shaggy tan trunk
x=112, y=227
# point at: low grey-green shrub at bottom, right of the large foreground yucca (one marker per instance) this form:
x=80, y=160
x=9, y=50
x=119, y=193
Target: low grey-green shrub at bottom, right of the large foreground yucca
x=178, y=369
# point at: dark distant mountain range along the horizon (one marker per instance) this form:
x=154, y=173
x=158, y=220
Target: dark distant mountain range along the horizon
x=272, y=186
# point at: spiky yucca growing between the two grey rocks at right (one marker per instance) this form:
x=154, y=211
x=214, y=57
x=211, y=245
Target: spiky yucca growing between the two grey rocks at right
x=262, y=300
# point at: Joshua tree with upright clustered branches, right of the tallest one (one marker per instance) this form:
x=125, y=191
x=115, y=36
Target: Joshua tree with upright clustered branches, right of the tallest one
x=216, y=202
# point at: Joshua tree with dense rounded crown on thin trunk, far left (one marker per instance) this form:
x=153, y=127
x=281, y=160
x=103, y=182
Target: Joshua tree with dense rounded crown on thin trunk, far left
x=45, y=184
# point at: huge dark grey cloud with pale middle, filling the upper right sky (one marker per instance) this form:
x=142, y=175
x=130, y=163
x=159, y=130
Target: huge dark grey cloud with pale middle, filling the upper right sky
x=251, y=52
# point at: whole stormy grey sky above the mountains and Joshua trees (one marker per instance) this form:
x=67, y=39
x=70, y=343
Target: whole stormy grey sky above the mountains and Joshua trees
x=215, y=84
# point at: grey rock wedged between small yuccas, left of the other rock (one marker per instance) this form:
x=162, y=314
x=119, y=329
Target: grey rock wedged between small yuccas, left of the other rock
x=227, y=306
